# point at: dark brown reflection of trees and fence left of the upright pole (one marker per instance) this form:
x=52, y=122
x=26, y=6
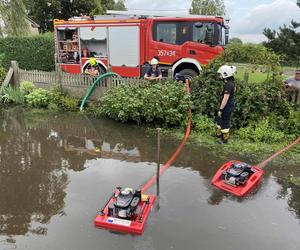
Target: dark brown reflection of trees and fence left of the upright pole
x=36, y=150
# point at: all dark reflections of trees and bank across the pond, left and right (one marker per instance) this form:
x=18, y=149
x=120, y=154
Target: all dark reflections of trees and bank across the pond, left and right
x=37, y=151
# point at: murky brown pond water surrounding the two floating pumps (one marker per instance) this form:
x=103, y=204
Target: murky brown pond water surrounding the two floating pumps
x=56, y=171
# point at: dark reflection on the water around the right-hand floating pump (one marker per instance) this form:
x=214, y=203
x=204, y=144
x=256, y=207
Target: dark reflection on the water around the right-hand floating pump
x=204, y=161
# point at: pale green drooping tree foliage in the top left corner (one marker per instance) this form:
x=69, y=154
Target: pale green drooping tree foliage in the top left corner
x=12, y=14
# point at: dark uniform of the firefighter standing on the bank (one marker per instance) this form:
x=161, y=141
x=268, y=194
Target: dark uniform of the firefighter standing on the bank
x=223, y=122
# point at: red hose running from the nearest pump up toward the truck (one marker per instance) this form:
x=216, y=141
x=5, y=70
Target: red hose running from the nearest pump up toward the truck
x=152, y=180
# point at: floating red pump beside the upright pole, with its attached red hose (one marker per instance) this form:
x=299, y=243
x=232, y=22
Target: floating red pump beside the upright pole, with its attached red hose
x=127, y=210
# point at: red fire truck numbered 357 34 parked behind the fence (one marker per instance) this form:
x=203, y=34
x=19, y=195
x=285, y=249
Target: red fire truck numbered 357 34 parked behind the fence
x=126, y=43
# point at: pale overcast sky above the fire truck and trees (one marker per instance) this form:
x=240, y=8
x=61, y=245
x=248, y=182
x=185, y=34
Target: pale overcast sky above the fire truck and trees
x=248, y=18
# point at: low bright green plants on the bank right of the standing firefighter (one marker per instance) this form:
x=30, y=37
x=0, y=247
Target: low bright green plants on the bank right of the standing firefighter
x=261, y=132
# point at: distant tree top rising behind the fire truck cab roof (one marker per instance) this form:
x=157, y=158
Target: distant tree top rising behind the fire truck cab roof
x=208, y=7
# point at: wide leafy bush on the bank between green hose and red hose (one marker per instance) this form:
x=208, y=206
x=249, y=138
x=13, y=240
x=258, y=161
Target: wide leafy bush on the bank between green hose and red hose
x=164, y=103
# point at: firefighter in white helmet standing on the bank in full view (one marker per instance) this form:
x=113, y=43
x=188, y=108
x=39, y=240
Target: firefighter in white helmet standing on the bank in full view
x=227, y=103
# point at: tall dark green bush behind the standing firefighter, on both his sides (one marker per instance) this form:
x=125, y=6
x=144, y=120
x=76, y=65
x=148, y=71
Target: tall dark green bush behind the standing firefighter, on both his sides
x=252, y=101
